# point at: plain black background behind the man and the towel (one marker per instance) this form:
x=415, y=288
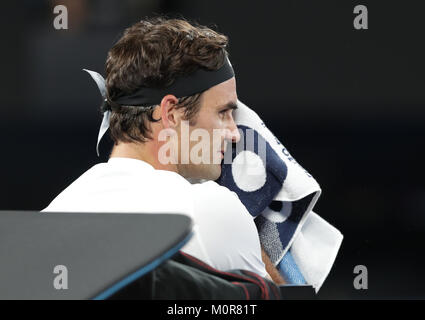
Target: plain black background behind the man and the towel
x=348, y=104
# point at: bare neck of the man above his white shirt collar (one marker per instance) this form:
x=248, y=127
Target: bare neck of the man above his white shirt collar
x=146, y=152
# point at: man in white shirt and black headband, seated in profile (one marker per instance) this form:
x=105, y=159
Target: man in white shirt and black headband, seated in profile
x=167, y=83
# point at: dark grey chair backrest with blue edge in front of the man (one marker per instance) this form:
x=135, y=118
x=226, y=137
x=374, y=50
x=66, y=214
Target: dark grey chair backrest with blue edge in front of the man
x=83, y=255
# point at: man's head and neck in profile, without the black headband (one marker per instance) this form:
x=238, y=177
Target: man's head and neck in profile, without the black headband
x=154, y=53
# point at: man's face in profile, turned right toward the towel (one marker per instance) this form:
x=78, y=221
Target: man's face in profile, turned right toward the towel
x=210, y=135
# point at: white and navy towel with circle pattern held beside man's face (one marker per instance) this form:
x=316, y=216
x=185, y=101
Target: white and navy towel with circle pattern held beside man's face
x=280, y=195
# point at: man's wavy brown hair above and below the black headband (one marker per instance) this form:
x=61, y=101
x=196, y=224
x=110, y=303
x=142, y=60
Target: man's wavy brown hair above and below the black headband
x=152, y=53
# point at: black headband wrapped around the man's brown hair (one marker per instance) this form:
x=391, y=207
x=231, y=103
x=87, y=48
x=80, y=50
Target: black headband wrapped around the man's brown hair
x=196, y=82
